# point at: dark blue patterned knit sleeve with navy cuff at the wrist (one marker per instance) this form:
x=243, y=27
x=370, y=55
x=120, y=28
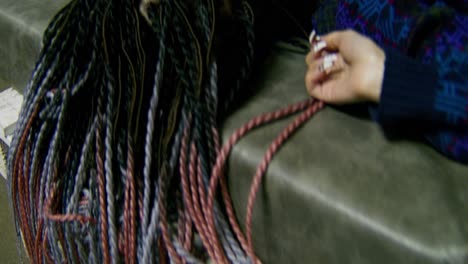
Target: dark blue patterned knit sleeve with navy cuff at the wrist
x=428, y=96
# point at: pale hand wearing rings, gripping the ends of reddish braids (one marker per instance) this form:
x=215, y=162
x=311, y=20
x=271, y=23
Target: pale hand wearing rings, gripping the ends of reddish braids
x=345, y=67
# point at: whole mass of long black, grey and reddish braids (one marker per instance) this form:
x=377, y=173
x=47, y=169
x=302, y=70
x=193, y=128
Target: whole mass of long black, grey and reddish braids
x=116, y=155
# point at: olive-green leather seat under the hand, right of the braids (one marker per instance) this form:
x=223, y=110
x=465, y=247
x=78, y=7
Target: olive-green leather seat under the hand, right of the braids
x=338, y=191
